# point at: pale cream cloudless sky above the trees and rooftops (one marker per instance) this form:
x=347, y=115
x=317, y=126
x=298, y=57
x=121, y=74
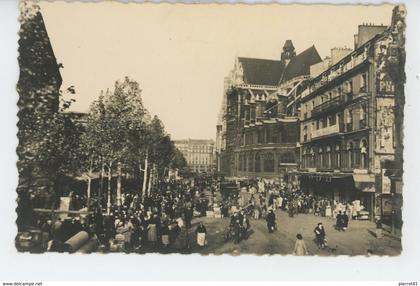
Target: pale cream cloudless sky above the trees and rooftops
x=180, y=54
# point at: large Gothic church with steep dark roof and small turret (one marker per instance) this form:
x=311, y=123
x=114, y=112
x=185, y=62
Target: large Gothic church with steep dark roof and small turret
x=257, y=131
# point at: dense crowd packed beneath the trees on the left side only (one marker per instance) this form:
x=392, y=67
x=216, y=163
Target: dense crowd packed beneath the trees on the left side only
x=138, y=223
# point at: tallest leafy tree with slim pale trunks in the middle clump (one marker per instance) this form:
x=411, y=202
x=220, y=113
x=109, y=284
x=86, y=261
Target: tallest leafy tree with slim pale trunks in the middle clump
x=115, y=130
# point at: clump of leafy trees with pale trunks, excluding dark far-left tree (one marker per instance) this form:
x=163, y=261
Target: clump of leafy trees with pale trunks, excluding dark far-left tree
x=118, y=137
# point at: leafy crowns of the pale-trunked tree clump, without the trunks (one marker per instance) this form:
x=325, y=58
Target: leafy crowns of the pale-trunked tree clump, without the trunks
x=120, y=130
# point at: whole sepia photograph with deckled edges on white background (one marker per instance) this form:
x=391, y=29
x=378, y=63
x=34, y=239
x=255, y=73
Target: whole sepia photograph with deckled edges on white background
x=213, y=129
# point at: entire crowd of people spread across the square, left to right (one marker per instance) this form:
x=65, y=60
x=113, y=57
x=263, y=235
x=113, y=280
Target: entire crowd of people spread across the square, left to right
x=163, y=220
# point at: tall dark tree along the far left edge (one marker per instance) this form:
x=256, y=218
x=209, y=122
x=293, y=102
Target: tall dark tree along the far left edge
x=43, y=147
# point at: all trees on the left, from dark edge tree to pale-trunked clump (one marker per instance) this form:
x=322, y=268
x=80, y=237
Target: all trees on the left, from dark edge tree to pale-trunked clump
x=117, y=137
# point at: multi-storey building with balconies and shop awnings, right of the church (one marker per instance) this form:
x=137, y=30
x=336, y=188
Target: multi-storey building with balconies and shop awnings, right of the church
x=351, y=120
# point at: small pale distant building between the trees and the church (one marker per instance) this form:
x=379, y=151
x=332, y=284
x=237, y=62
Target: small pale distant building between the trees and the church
x=199, y=154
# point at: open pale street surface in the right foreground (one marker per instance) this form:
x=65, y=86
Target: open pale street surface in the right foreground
x=357, y=240
